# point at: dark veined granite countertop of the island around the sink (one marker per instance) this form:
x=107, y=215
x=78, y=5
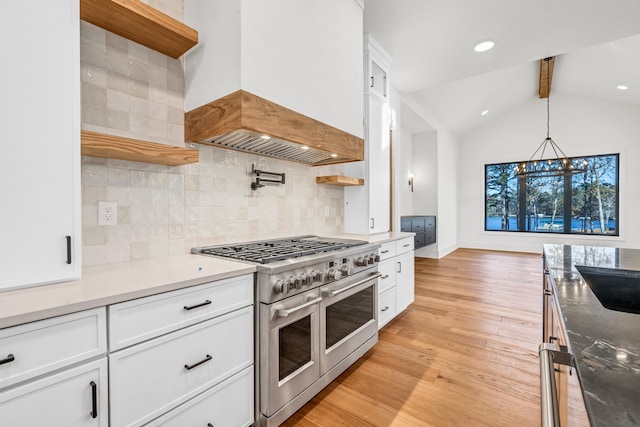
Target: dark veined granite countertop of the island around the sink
x=605, y=343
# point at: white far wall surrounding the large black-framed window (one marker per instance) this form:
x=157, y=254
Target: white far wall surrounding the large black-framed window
x=580, y=126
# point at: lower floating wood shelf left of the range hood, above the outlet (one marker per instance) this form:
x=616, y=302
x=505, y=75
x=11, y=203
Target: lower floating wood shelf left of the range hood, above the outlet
x=117, y=147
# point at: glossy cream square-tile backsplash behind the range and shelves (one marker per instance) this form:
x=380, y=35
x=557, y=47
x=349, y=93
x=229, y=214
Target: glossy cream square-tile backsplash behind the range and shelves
x=132, y=91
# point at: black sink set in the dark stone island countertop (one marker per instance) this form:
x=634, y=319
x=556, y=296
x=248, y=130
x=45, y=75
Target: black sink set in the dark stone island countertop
x=615, y=289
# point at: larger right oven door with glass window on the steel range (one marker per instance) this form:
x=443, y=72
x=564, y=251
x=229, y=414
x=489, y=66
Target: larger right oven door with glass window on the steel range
x=348, y=317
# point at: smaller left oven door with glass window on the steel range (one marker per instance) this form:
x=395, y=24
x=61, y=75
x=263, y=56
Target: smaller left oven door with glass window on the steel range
x=289, y=356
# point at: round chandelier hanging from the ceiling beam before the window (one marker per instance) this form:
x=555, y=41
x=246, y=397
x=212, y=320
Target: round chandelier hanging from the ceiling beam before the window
x=560, y=164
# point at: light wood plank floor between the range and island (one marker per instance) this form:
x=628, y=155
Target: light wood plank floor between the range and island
x=463, y=354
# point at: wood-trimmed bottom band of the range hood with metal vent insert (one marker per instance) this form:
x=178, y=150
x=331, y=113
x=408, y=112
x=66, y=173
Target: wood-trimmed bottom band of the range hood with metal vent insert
x=246, y=122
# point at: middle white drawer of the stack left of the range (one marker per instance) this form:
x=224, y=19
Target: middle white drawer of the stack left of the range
x=151, y=378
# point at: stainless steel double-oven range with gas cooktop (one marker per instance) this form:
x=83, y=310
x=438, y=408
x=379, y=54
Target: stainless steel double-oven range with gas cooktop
x=317, y=314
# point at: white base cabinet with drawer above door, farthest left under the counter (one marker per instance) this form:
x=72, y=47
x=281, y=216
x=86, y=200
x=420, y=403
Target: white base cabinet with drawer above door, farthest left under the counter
x=54, y=372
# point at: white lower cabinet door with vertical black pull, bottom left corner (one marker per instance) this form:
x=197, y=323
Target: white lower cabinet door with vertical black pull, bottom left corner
x=67, y=399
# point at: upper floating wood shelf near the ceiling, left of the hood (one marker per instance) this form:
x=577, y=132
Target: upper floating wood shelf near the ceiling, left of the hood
x=140, y=23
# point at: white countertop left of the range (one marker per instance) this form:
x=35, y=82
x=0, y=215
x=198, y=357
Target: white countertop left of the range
x=112, y=283
